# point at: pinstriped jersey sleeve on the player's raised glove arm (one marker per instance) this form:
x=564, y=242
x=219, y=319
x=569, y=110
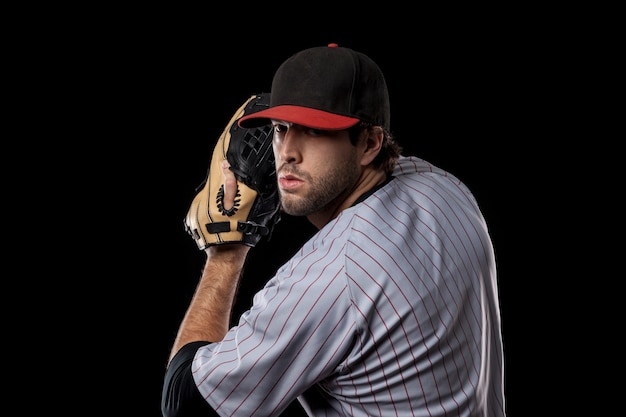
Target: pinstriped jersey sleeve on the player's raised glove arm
x=298, y=331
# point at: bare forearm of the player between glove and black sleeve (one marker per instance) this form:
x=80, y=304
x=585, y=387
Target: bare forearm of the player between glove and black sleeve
x=208, y=315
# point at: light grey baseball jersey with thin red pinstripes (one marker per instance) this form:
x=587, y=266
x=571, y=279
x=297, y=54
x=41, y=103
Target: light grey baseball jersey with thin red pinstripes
x=391, y=309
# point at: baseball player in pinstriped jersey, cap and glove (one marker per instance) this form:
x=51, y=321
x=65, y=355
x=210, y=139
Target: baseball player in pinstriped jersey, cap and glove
x=390, y=309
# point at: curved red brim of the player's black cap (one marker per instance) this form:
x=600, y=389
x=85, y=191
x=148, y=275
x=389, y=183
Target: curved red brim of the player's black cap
x=316, y=119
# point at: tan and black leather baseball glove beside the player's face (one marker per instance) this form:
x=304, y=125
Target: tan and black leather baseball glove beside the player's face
x=257, y=207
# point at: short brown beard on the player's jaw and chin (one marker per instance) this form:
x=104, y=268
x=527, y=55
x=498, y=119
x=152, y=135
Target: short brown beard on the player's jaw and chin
x=325, y=191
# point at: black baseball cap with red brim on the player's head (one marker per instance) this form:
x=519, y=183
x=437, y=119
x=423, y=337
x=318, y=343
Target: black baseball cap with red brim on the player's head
x=327, y=87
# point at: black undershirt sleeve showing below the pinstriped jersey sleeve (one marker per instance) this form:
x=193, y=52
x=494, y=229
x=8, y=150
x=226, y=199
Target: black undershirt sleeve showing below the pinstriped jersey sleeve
x=180, y=396
